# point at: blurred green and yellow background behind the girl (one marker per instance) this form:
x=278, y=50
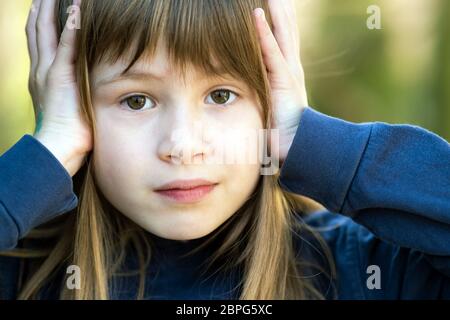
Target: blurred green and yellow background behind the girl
x=397, y=74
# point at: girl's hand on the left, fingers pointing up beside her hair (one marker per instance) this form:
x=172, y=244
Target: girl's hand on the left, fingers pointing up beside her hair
x=53, y=87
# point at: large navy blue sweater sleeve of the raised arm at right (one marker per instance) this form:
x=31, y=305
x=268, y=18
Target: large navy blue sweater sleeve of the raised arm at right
x=392, y=179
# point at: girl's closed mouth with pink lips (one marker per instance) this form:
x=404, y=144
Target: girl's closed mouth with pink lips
x=186, y=191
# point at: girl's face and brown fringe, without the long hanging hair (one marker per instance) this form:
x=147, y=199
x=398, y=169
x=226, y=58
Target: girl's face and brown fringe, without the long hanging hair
x=165, y=77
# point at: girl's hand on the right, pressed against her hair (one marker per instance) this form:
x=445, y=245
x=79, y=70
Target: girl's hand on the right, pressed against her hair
x=281, y=52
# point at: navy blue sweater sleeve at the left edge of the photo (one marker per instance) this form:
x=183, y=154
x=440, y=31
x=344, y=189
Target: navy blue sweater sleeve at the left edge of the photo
x=34, y=188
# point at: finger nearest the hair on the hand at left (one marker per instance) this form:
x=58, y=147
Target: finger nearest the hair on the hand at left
x=66, y=52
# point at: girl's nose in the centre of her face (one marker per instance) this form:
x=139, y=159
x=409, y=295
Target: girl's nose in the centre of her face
x=184, y=141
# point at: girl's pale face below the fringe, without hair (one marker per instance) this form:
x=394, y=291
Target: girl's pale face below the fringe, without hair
x=146, y=117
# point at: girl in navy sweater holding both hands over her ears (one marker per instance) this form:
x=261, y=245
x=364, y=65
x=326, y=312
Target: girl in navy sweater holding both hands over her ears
x=119, y=96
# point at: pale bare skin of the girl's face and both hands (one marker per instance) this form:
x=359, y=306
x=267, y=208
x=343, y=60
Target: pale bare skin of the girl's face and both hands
x=133, y=149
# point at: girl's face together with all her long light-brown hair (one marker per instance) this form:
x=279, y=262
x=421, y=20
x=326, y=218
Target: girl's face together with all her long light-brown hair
x=158, y=80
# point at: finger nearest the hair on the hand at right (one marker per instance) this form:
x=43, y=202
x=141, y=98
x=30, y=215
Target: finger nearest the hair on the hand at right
x=272, y=54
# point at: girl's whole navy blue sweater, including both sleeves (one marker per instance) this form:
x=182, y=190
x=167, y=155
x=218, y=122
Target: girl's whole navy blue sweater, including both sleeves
x=386, y=189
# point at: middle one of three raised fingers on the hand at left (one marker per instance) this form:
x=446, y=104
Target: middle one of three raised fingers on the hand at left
x=46, y=34
